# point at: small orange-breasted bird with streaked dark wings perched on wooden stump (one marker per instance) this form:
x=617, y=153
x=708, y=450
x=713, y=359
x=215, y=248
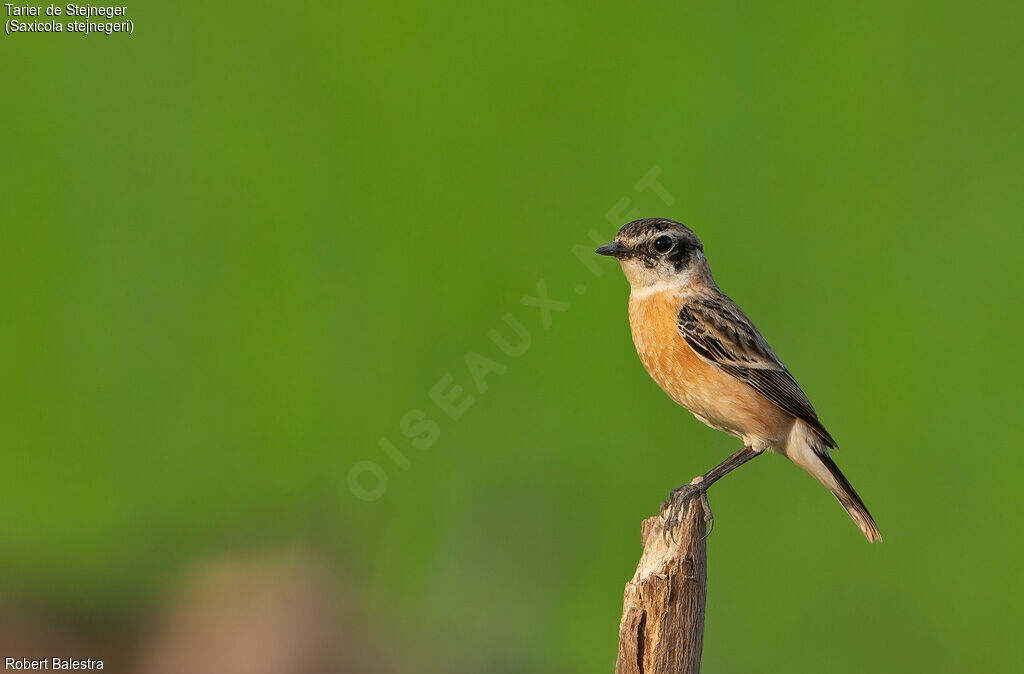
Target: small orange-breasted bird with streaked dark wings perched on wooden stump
x=708, y=357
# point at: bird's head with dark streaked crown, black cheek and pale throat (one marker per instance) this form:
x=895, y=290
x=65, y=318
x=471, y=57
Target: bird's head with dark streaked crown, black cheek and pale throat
x=659, y=251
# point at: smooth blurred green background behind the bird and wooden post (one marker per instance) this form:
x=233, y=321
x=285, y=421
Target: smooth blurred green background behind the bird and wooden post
x=241, y=245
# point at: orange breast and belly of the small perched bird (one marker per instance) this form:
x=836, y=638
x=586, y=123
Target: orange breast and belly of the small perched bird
x=717, y=399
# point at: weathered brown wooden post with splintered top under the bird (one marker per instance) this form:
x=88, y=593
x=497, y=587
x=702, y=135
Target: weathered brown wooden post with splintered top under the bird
x=662, y=630
